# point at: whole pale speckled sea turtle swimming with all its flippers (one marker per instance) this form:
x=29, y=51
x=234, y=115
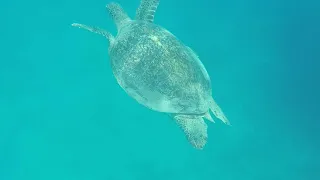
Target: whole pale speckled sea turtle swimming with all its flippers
x=159, y=71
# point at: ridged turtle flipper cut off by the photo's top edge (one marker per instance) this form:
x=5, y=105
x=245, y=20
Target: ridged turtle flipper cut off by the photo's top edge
x=146, y=10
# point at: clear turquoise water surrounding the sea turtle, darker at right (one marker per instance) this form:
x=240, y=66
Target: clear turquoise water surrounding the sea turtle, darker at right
x=64, y=117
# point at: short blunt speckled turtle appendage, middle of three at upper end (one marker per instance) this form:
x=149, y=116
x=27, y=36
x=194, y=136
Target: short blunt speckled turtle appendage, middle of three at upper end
x=119, y=16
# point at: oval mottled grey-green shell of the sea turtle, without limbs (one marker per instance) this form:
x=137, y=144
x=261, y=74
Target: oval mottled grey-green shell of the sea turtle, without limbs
x=158, y=70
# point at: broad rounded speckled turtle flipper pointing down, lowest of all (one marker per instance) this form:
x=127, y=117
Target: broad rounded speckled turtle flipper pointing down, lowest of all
x=194, y=128
